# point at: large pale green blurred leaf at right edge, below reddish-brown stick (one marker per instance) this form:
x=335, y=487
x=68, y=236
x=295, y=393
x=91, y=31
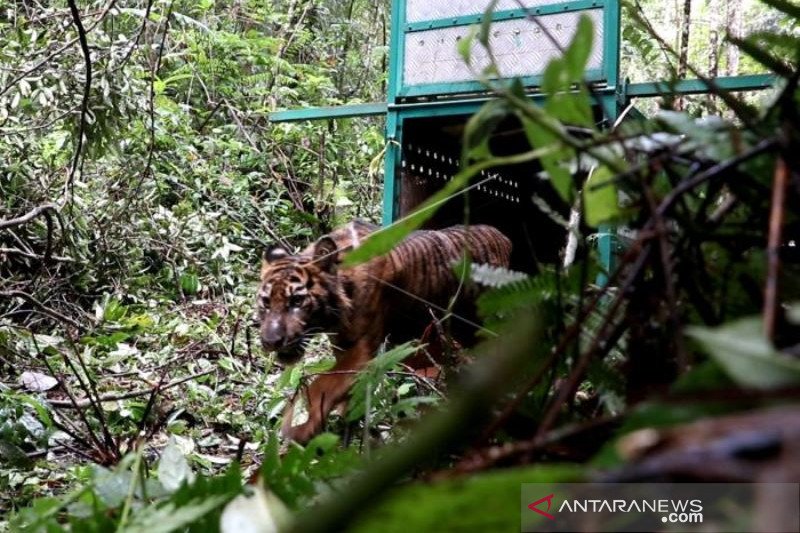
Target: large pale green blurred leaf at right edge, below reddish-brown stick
x=747, y=356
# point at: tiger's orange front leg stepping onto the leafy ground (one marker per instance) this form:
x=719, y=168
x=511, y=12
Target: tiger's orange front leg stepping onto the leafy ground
x=329, y=390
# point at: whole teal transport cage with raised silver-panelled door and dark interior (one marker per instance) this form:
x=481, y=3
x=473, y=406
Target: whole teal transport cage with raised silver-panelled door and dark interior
x=431, y=93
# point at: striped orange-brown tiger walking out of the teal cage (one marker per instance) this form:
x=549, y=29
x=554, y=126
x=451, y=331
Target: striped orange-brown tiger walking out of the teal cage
x=361, y=306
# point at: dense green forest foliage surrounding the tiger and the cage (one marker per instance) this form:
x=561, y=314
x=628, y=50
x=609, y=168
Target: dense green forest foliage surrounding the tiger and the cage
x=143, y=273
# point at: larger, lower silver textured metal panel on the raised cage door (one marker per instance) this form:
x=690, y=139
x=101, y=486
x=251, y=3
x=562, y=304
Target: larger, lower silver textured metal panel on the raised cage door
x=520, y=47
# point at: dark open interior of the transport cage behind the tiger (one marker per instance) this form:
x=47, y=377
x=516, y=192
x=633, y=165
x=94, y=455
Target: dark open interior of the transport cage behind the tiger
x=501, y=197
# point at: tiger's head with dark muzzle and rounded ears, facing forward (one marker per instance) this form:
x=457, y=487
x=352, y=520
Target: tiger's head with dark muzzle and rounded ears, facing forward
x=298, y=296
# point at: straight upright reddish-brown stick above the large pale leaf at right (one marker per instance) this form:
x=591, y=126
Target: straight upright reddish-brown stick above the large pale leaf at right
x=773, y=247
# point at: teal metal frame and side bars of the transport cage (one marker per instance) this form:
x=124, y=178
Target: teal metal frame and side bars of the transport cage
x=405, y=102
